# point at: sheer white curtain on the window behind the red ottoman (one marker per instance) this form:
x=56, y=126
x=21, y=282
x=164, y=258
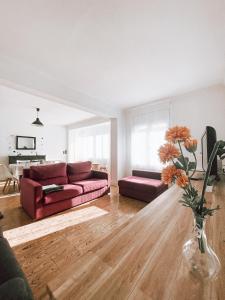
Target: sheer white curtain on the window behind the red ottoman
x=146, y=129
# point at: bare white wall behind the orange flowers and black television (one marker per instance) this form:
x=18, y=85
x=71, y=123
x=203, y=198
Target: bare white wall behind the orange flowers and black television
x=198, y=109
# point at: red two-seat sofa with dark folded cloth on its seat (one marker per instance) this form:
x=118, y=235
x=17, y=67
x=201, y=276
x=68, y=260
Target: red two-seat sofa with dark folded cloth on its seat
x=81, y=184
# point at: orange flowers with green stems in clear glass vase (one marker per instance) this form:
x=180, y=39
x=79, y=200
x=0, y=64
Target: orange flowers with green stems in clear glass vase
x=199, y=256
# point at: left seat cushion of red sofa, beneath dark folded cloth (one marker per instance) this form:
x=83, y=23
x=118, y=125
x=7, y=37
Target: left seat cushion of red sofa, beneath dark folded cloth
x=69, y=191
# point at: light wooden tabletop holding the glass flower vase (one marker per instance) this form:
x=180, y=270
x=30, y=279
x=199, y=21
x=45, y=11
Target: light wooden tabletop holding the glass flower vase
x=144, y=259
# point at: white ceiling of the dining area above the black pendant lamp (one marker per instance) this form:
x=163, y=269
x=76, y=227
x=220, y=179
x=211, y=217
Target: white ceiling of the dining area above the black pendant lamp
x=51, y=113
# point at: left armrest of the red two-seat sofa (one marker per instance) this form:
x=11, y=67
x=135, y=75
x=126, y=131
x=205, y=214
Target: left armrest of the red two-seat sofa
x=31, y=194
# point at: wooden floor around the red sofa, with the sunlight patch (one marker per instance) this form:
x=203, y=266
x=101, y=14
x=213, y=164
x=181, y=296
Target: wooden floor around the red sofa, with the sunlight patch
x=45, y=247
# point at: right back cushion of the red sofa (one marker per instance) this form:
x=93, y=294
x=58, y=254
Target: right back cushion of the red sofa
x=79, y=171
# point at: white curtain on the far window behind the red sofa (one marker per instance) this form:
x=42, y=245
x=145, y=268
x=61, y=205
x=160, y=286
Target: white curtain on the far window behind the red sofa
x=90, y=143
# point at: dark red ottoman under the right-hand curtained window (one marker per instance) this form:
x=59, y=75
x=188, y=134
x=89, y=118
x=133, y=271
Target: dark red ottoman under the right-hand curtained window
x=142, y=185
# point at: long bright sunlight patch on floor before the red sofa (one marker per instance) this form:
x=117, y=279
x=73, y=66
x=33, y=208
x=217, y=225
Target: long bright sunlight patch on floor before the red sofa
x=47, y=226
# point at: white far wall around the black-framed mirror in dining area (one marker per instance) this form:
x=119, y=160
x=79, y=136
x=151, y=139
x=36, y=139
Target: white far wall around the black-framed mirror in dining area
x=51, y=139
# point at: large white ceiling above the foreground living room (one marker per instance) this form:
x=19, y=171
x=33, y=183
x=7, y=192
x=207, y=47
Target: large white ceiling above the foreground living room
x=123, y=52
